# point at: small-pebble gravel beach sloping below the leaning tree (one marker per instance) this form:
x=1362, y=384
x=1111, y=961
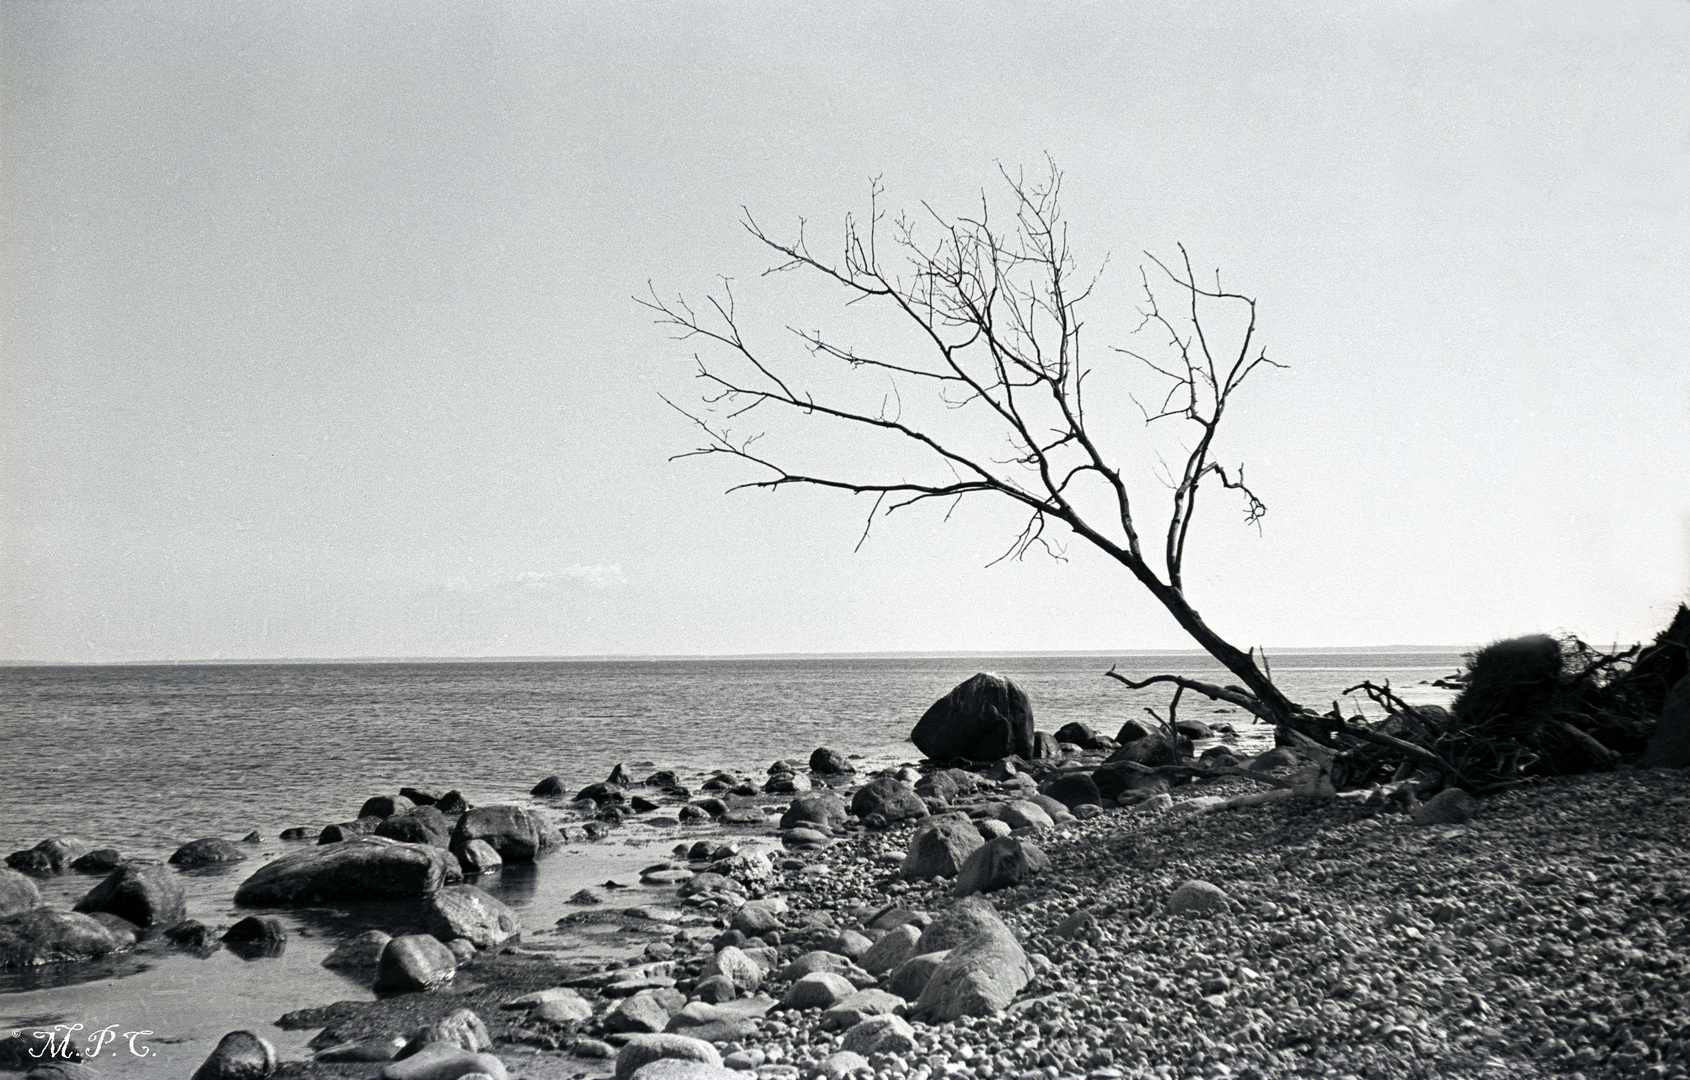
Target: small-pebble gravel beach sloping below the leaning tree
x=1544, y=937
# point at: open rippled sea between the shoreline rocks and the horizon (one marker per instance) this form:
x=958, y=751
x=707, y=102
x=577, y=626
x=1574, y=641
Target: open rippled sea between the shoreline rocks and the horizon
x=146, y=758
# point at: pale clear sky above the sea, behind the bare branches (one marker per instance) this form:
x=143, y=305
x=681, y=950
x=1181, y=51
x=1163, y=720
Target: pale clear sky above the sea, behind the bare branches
x=320, y=332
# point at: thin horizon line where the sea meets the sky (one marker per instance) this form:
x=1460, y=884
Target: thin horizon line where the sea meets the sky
x=586, y=658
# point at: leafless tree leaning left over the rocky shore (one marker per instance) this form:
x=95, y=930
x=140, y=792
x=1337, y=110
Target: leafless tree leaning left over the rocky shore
x=995, y=314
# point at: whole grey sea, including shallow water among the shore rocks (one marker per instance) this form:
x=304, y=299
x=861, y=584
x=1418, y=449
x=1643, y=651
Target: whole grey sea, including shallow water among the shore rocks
x=146, y=758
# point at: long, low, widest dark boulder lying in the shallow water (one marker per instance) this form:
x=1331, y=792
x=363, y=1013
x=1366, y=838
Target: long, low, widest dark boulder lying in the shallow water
x=364, y=870
